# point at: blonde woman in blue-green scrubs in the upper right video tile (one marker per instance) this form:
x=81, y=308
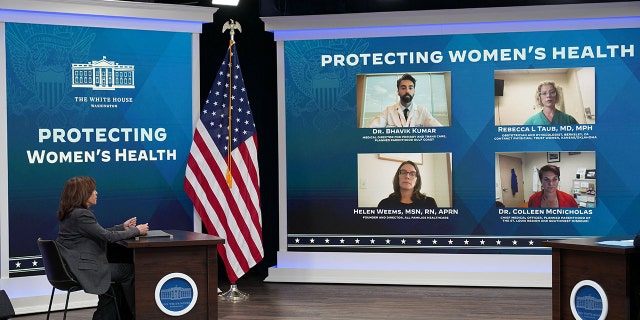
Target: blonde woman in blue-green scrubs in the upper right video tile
x=547, y=96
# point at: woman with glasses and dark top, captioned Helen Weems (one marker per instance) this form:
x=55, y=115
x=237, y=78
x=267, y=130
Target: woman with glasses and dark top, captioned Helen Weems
x=406, y=190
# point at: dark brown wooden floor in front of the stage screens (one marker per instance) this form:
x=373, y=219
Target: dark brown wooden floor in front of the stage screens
x=302, y=301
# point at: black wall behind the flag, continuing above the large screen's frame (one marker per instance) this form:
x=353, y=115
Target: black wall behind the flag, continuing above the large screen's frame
x=257, y=54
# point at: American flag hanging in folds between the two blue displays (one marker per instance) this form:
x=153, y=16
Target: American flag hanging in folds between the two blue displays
x=224, y=187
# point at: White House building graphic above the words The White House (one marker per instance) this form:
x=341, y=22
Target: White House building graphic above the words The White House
x=102, y=75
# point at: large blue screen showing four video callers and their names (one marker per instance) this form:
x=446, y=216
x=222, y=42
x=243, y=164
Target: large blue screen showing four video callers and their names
x=472, y=143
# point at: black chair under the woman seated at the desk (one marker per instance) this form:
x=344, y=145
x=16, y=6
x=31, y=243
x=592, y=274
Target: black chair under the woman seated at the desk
x=59, y=276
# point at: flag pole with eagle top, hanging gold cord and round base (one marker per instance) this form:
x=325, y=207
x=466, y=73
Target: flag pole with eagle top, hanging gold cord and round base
x=233, y=294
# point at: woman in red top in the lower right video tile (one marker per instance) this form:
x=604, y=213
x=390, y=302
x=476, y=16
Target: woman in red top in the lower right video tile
x=550, y=196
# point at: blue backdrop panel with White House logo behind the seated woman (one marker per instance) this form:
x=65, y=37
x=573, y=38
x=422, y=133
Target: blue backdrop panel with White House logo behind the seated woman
x=113, y=104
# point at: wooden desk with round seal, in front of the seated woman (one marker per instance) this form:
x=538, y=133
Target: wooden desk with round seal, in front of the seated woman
x=186, y=254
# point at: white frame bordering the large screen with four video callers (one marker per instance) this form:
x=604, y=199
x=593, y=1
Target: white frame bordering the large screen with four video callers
x=424, y=269
